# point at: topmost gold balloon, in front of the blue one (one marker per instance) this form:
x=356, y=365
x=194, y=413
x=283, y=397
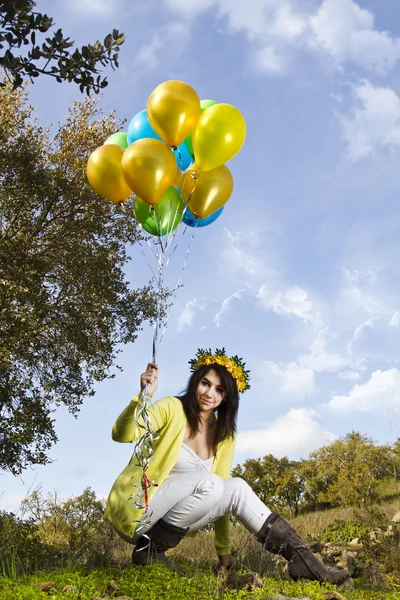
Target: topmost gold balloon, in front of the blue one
x=173, y=109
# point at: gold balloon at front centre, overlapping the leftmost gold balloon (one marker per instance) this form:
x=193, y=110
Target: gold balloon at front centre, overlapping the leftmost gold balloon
x=149, y=167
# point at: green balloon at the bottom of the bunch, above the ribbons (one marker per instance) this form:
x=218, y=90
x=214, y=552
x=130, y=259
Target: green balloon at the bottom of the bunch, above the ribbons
x=161, y=218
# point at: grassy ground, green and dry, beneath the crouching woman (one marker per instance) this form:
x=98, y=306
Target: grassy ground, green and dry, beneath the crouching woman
x=198, y=556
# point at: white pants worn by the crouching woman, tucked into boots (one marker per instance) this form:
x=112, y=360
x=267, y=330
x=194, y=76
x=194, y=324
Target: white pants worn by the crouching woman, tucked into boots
x=195, y=499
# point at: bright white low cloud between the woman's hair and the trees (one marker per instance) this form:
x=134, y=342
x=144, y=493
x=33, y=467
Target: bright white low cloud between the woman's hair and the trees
x=295, y=434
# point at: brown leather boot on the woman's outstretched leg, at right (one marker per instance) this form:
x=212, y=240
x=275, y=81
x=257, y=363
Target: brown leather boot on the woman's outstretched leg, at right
x=279, y=537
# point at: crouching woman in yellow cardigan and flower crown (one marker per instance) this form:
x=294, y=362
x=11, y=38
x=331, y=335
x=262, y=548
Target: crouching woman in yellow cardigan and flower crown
x=193, y=451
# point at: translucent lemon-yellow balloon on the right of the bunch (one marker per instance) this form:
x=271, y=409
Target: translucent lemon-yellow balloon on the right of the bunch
x=220, y=133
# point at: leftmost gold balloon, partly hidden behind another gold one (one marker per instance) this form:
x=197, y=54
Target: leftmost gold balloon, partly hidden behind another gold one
x=104, y=173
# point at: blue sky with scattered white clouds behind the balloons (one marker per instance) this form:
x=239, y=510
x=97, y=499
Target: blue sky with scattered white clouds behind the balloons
x=300, y=275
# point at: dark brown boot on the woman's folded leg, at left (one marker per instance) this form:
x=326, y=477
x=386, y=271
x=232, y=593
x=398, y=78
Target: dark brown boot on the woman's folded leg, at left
x=151, y=547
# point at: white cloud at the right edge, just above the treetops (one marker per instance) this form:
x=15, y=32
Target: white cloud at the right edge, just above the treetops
x=381, y=392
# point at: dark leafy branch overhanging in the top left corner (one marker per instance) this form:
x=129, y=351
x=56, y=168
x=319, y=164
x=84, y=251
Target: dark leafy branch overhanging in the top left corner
x=54, y=56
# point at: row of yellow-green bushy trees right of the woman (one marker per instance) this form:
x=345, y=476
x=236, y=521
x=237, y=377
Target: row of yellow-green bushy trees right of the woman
x=347, y=472
